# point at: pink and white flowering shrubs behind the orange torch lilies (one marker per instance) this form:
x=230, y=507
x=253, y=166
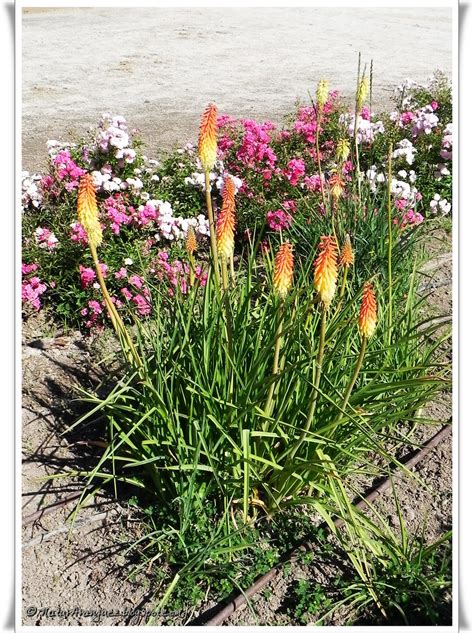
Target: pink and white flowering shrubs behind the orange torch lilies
x=282, y=179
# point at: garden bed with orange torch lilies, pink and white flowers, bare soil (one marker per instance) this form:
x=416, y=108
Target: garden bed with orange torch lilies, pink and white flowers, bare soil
x=346, y=399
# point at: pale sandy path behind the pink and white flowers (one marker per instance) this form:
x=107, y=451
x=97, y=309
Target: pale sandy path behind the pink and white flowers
x=159, y=66
